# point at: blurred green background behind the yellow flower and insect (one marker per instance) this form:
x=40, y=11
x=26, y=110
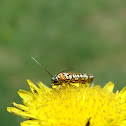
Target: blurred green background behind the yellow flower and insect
x=87, y=36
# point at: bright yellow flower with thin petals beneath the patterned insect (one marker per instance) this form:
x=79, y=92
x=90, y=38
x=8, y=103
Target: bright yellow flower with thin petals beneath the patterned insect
x=81, y=105
